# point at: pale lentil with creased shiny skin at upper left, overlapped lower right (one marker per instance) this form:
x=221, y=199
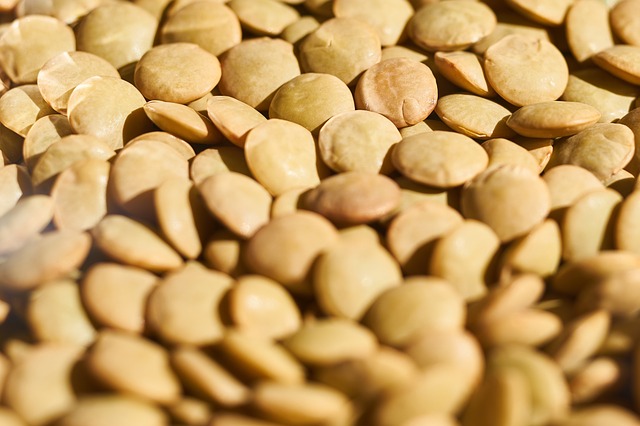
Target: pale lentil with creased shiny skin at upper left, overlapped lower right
x=62, y=73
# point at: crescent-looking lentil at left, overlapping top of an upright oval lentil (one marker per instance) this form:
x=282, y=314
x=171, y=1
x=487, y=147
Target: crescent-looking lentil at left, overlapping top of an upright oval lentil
x=64, y=154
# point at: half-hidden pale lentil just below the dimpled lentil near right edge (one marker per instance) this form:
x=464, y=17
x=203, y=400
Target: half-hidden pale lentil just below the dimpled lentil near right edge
x=567, y=183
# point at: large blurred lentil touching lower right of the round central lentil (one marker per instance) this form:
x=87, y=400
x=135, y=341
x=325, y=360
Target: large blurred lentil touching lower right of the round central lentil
x=401, y=314
